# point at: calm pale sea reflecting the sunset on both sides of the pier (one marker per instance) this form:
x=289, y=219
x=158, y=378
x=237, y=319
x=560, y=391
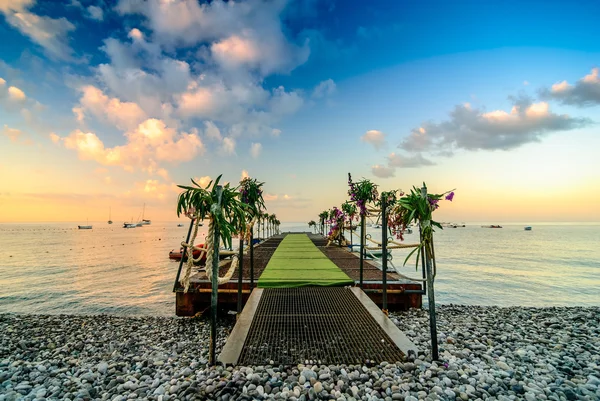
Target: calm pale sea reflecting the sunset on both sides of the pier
x=56, y=268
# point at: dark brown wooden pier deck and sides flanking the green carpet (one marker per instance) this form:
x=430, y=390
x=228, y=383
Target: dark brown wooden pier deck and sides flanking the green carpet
x=401, y=294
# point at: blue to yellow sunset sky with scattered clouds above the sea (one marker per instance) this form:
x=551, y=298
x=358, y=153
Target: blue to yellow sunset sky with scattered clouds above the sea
x=109, y=105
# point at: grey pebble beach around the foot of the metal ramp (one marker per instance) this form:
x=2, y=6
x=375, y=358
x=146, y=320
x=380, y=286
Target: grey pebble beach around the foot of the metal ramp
x=486, y=353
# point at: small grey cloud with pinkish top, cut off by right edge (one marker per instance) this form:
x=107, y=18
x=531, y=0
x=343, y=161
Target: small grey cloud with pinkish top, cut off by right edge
x=585, y=92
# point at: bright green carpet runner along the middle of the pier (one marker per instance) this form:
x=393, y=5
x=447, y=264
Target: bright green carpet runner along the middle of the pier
x=297, y=262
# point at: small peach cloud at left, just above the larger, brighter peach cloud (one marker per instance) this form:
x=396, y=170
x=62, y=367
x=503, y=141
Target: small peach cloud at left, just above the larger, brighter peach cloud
x=123, y=115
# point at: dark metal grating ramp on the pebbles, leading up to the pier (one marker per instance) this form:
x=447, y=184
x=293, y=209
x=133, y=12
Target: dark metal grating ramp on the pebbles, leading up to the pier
x=322, y=325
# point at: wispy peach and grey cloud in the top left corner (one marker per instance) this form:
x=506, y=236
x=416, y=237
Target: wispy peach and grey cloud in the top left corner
x=50, y=33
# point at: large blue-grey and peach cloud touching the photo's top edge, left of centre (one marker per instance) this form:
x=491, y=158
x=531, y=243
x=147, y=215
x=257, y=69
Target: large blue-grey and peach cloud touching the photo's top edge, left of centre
x=242, y=34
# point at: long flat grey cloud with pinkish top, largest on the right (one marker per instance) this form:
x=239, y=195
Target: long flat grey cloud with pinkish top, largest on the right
x=473, y=129
